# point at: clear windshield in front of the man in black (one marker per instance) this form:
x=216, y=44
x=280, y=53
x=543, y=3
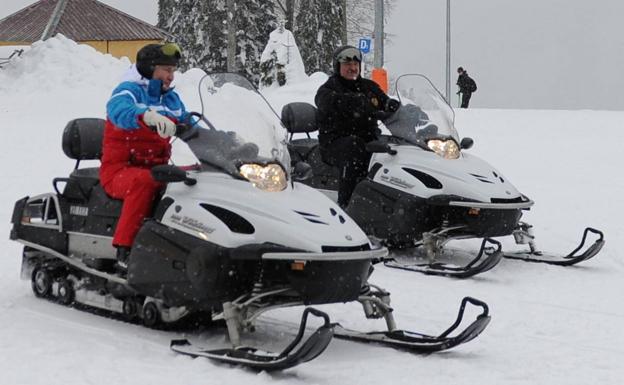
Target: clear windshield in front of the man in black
x=424, y=114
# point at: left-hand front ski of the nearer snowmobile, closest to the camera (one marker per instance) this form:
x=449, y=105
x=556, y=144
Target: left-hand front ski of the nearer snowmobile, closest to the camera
x=259, y=360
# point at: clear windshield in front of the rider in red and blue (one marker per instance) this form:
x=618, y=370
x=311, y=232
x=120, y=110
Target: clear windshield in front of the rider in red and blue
x=238, y=128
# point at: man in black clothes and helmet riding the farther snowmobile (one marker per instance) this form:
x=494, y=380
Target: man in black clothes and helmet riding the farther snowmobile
x=348, y=109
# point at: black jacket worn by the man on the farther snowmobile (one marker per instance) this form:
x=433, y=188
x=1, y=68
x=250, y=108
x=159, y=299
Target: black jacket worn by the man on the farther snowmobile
x=348, y=107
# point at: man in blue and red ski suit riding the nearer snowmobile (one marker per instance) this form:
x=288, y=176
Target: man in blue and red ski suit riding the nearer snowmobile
x=141, y=117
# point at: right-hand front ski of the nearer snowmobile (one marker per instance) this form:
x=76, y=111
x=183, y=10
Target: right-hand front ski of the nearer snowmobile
x=422, y=343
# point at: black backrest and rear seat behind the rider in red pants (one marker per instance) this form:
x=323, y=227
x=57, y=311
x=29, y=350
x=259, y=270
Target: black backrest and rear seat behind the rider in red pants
x=82, y=140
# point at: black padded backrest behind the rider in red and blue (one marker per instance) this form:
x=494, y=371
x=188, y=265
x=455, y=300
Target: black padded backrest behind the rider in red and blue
x=82, y=138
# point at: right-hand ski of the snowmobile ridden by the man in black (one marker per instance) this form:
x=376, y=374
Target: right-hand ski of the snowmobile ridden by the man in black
x=573, y=258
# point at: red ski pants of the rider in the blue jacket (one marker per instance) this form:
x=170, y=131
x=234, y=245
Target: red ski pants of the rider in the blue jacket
x=136, y=187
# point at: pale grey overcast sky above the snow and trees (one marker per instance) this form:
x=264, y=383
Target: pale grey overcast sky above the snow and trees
x=561, y=54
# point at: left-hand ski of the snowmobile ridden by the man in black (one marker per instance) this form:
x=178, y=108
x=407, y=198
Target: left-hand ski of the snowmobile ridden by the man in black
x=485, y=260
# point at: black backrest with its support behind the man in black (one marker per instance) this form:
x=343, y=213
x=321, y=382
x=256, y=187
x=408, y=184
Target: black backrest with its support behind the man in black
x=299, y=117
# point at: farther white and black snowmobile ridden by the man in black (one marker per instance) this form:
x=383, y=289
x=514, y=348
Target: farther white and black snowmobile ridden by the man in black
x=423, y=189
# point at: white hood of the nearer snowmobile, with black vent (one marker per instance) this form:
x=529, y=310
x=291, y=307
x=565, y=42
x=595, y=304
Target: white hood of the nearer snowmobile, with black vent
x=232, y=212
